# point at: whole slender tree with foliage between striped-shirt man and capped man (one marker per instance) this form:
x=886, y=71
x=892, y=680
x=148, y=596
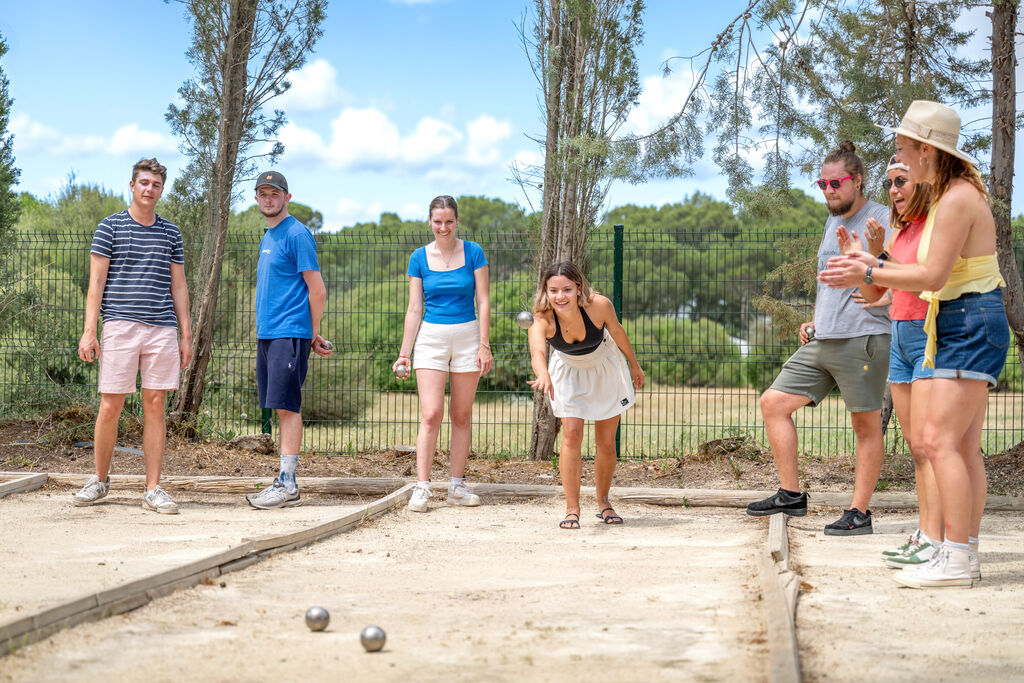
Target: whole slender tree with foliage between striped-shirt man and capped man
x=243, y=52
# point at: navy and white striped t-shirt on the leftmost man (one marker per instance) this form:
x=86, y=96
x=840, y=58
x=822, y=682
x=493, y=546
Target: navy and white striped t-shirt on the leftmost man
x=139, y=281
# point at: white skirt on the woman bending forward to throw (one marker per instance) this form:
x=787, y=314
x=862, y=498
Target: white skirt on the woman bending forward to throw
x=595, y=387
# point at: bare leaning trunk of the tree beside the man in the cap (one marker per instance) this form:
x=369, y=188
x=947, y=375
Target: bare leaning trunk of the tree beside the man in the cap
x=234, y=65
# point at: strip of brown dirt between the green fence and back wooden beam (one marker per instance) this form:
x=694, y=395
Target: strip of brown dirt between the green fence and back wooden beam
x=47, y=446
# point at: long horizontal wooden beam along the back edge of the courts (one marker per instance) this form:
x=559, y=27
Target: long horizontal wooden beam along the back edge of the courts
x=652, y=496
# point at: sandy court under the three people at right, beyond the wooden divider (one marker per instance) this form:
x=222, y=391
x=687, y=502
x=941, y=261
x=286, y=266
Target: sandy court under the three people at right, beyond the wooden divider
x=855, y=623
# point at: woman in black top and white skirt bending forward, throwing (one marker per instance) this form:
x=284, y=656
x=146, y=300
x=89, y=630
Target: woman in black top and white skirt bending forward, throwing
x=591, y=375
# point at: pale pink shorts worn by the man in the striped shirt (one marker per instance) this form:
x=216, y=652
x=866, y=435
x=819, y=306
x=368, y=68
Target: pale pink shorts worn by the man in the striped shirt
x=127, y=349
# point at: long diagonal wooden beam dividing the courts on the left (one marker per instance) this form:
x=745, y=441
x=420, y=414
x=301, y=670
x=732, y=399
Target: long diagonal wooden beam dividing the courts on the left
x=135, y=594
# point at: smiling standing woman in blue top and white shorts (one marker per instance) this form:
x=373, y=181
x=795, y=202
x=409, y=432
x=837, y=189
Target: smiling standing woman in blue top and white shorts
x=444, y=278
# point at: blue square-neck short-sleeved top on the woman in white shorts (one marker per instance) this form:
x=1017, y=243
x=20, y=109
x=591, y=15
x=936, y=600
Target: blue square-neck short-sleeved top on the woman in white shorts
x=448, y=295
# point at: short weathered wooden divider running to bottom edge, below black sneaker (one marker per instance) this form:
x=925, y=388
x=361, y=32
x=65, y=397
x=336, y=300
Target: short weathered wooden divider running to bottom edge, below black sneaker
x=780, y=588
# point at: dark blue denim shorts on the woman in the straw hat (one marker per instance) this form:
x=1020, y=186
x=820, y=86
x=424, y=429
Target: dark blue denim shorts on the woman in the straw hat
x=973, y=337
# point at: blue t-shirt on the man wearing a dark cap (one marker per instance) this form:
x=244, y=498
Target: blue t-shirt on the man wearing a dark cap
x=286, y=251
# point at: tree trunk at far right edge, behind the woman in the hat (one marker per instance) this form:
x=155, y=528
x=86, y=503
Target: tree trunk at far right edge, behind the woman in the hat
x=1004, y=16
